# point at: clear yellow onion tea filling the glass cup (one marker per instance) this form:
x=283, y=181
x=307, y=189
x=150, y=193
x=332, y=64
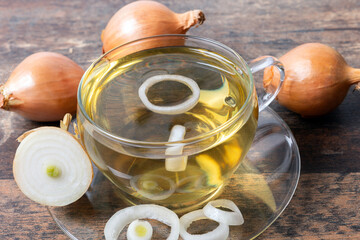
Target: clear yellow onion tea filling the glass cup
x=110, y=99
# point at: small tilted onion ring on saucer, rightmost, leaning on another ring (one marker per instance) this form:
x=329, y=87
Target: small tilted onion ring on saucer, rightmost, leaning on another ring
x=229, y=218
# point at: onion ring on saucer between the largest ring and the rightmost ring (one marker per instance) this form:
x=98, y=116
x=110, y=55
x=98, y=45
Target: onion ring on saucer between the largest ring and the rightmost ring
x=221, y=232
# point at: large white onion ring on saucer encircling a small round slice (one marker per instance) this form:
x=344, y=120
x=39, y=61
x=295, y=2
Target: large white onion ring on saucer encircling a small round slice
x=125, y=216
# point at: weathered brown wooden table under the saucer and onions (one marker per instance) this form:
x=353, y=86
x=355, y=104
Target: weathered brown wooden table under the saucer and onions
x=327, y=201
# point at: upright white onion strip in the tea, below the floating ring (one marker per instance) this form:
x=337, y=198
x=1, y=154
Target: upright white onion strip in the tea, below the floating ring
x=176, y=164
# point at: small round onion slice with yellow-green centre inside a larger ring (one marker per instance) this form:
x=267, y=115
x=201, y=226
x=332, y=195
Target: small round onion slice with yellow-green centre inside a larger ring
x=139, y=230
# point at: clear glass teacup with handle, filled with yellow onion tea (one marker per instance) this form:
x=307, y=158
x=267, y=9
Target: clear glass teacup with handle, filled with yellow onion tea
x=169, y=118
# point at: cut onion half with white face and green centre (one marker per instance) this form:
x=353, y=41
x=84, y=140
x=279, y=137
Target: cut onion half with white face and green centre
x=51, y=167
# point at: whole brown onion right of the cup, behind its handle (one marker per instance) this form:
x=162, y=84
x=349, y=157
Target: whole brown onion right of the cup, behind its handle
x=317, y=79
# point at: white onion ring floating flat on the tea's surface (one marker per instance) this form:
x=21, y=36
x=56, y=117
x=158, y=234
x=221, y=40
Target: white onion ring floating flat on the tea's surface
x=170, y=110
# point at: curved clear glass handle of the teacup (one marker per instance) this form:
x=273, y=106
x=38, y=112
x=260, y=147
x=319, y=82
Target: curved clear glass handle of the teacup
x=273, y=88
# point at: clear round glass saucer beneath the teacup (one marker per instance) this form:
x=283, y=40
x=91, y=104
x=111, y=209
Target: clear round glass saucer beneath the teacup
x=261, y=187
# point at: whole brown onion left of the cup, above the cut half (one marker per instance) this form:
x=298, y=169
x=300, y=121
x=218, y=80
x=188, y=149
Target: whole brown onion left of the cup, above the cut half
x=43, y=87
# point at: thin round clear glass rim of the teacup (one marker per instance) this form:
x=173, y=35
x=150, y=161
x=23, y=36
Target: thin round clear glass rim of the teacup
x=186, y=141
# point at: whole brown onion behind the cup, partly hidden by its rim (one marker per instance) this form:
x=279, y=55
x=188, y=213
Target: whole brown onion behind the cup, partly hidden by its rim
x=141, y=19
